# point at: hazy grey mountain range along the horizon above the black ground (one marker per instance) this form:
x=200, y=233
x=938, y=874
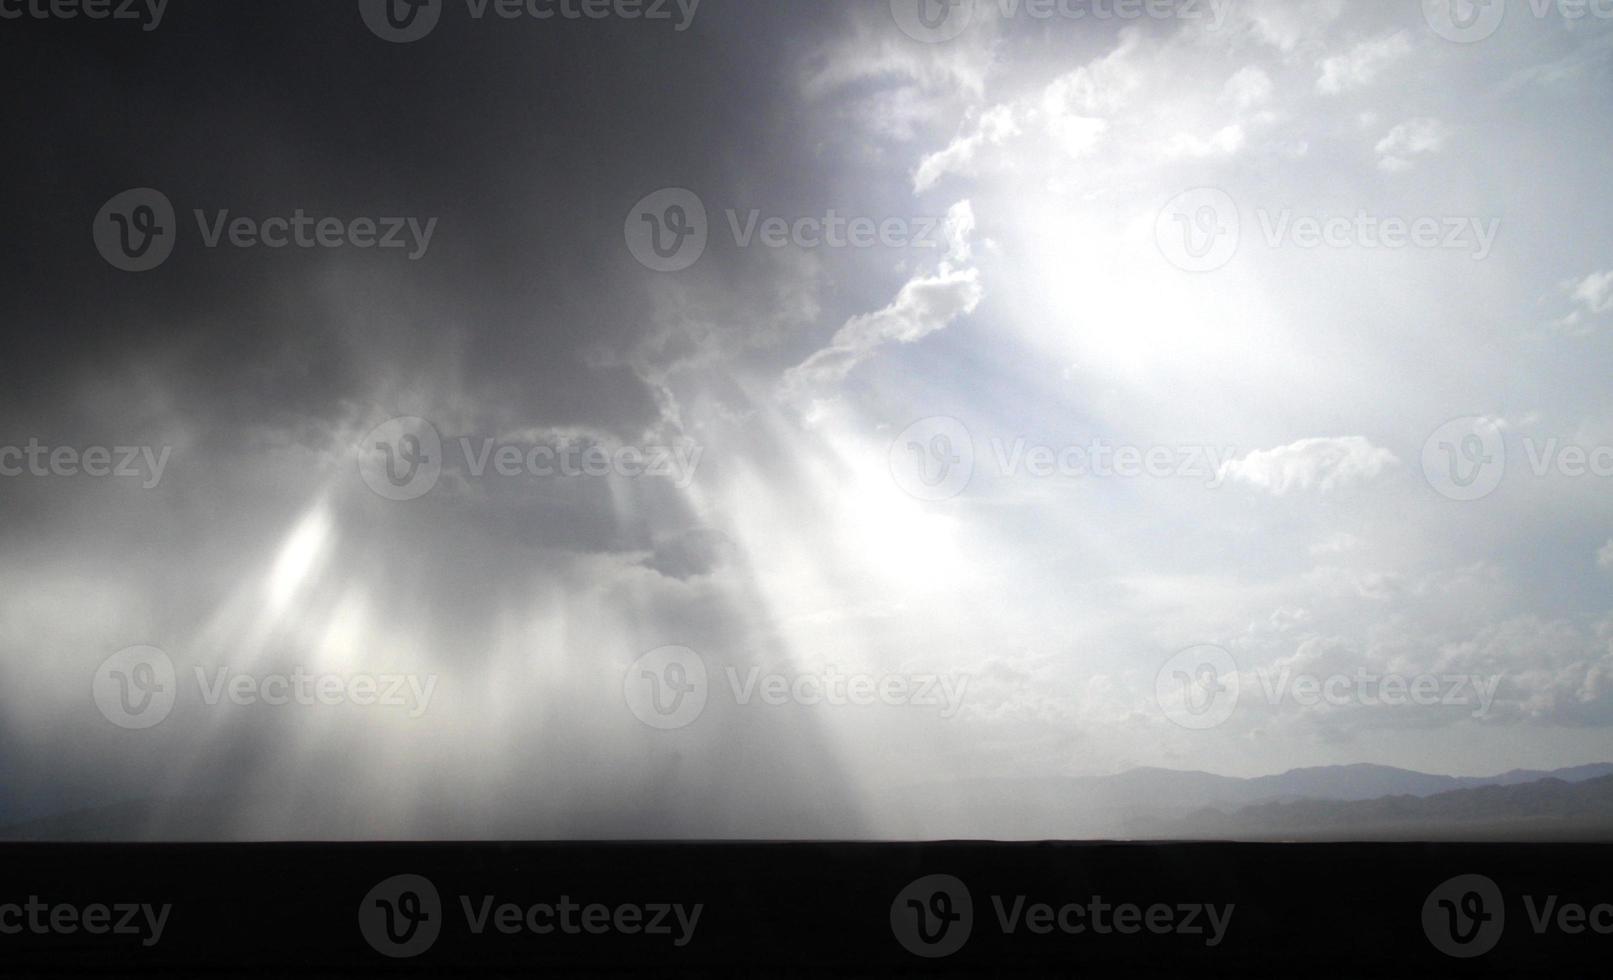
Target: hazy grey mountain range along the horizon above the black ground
x=1322, y=804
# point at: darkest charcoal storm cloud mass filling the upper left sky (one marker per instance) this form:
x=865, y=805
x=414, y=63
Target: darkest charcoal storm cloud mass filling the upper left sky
x=528, y=141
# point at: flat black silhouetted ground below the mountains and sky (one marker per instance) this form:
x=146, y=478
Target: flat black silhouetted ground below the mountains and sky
x=807, y=910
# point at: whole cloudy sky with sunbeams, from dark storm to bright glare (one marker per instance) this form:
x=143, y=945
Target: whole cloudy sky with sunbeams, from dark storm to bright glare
x=1027, y=389
